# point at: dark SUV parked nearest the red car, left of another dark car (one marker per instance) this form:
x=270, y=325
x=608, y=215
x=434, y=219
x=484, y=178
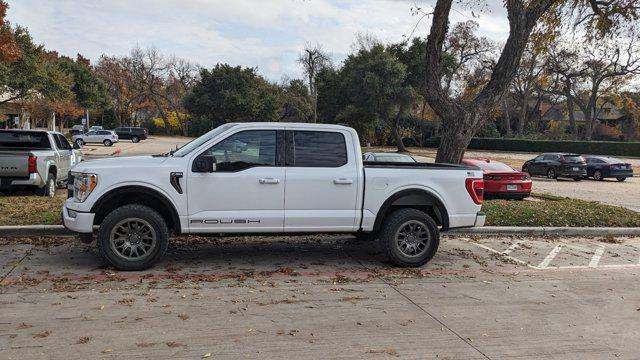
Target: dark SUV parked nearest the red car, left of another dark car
x=555, y=165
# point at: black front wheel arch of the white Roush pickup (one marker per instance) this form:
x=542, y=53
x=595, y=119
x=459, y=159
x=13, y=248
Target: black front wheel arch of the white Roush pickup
x=136, y=194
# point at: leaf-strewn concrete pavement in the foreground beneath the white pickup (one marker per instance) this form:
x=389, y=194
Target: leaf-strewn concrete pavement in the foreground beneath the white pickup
x=324, y=296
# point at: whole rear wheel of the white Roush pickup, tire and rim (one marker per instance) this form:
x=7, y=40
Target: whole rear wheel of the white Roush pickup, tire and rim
x=409, y=238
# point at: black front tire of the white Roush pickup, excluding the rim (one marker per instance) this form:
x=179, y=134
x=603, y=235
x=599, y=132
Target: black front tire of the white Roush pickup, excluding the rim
x=133, y=211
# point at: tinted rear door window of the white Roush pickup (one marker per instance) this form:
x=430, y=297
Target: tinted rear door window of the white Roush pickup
x=316, y=149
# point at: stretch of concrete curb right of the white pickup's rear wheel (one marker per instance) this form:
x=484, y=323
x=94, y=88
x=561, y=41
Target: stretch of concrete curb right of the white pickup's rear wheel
x=542, y=231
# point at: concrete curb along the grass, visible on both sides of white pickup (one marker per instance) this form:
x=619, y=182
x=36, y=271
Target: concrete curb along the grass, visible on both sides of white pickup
x=59, y=230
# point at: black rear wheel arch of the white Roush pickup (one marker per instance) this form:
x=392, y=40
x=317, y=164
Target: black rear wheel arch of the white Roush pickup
x=419, y=199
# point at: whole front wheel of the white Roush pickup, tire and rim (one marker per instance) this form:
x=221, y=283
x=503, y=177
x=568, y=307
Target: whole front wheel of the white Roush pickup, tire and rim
x=133, y=237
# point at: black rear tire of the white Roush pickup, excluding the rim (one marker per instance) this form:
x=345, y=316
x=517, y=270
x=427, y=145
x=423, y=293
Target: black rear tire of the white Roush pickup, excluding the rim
x=388, y=243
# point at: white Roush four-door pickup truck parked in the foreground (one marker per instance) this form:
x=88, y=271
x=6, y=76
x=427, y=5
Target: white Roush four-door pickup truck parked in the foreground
x=257, y=178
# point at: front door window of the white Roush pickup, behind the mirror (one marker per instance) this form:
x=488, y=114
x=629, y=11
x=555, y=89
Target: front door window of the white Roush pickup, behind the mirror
x=245, y=149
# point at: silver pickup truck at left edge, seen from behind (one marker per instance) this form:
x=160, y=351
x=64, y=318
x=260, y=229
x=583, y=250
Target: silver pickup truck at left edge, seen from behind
x=35, y=159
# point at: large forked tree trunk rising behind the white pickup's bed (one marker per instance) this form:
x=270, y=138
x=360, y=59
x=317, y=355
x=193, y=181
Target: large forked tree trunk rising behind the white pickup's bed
x=463, y=117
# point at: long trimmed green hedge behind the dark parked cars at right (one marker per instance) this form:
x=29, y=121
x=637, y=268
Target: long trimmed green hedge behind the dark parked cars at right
x=523, y=145
